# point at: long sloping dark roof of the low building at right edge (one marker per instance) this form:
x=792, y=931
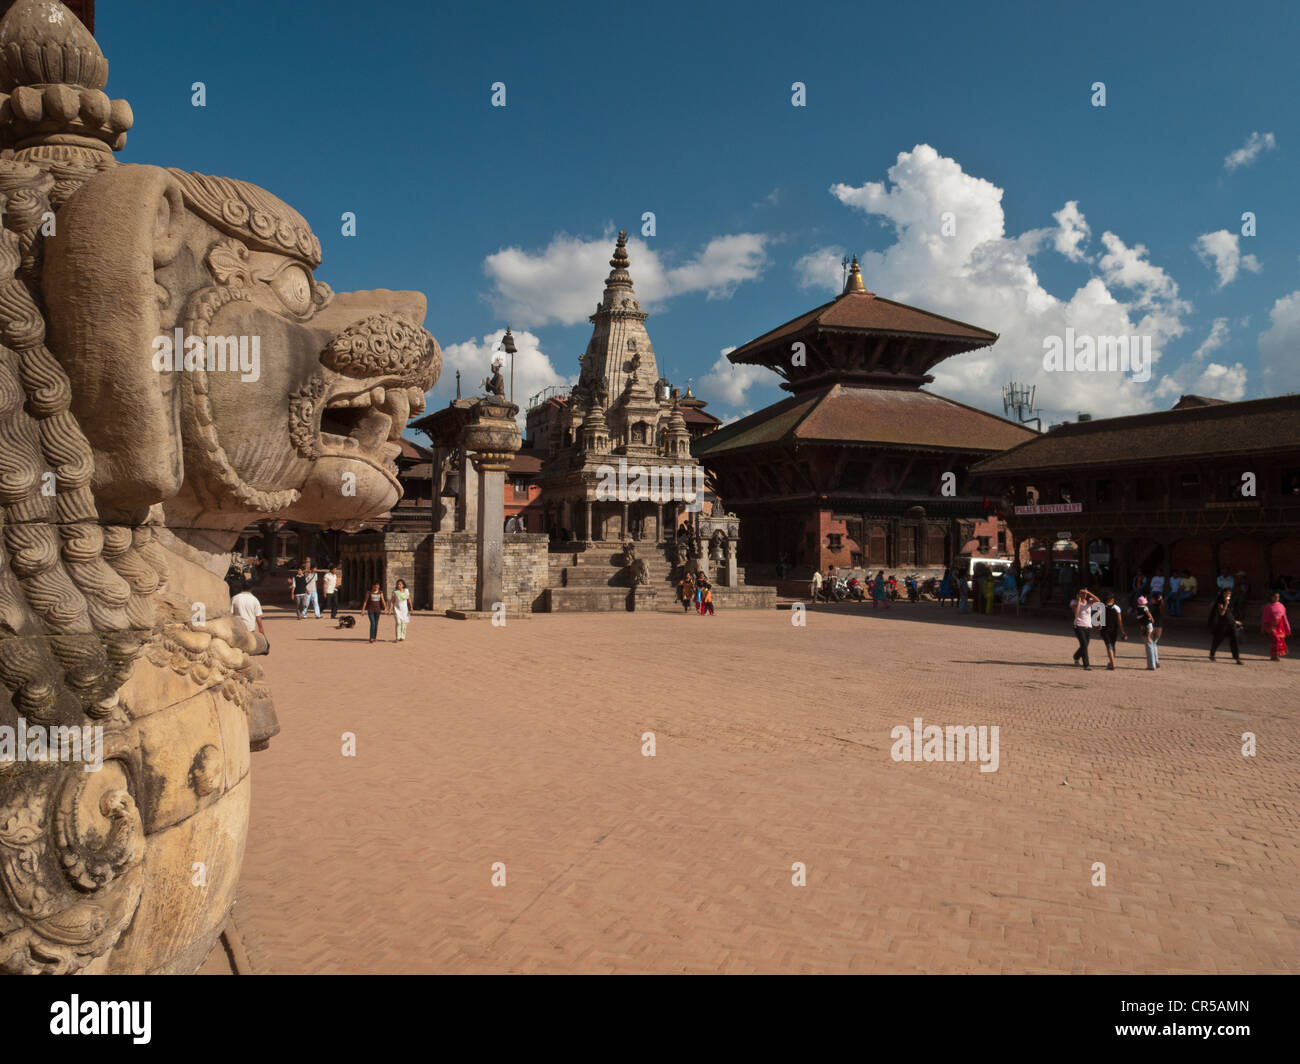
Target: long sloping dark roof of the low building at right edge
x=1184, y=432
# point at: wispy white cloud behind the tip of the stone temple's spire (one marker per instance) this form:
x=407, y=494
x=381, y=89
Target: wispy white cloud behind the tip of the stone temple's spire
x=564, y=282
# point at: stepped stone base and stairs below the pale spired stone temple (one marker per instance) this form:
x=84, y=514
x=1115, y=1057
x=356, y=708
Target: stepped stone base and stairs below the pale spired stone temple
x=595, y=581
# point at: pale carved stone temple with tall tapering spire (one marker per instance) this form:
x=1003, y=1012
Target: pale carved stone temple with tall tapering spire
x=622, y=413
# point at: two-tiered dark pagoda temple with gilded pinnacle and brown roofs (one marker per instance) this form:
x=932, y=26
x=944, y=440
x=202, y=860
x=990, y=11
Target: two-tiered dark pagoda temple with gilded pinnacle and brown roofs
x=852, y=469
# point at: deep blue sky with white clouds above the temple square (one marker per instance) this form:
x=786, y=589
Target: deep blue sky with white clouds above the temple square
x=913, y=111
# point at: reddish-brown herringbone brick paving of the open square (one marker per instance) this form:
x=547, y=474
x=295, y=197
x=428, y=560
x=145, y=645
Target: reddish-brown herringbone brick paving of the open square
x=523, y=746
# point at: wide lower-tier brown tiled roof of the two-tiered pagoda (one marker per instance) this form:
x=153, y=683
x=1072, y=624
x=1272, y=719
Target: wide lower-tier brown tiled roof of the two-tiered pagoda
x=851, y=414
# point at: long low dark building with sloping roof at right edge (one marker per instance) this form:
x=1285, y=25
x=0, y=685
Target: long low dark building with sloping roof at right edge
x=1204, y=487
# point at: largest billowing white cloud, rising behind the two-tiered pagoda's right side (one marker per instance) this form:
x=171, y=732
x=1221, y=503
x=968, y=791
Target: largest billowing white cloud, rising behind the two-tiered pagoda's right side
x=986, y=276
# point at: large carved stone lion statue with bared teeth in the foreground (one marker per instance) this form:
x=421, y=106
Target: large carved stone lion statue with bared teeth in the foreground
x=171, y=370
